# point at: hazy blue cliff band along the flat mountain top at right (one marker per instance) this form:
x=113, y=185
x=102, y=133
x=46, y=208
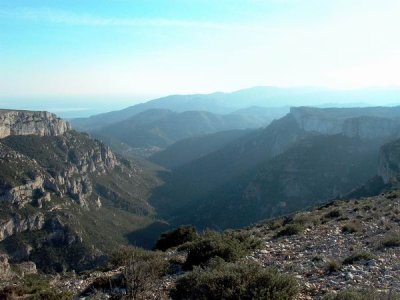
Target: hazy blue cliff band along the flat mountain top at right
x=358, y=122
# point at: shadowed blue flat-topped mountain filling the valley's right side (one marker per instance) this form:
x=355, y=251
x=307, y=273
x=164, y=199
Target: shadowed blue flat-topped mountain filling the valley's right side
x=309, y=156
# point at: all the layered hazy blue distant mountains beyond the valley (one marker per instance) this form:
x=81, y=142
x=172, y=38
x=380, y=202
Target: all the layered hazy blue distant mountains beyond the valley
x=152, y=126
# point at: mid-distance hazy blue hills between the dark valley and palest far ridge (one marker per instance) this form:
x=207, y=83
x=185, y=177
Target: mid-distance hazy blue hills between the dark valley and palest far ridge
x=161, y=127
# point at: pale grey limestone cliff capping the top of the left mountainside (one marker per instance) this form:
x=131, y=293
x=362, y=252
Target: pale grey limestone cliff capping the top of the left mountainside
x=40, y=123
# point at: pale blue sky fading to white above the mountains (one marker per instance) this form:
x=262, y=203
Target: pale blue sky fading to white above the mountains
x=87, y=52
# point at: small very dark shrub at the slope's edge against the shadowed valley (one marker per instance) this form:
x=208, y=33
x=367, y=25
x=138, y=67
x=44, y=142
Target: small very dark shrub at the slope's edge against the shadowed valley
x=177, y=237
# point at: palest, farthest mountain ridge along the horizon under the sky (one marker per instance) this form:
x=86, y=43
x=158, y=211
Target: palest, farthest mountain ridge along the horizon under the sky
x=224, y=103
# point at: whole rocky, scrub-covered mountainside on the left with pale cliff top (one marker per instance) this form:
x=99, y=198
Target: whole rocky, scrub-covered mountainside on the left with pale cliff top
x=65, y=198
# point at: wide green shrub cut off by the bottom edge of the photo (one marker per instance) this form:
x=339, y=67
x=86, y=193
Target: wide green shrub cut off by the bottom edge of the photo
x=234, y=281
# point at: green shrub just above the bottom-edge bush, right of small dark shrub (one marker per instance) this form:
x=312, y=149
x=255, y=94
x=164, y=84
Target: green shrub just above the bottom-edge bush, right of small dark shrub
x=229, y=245
